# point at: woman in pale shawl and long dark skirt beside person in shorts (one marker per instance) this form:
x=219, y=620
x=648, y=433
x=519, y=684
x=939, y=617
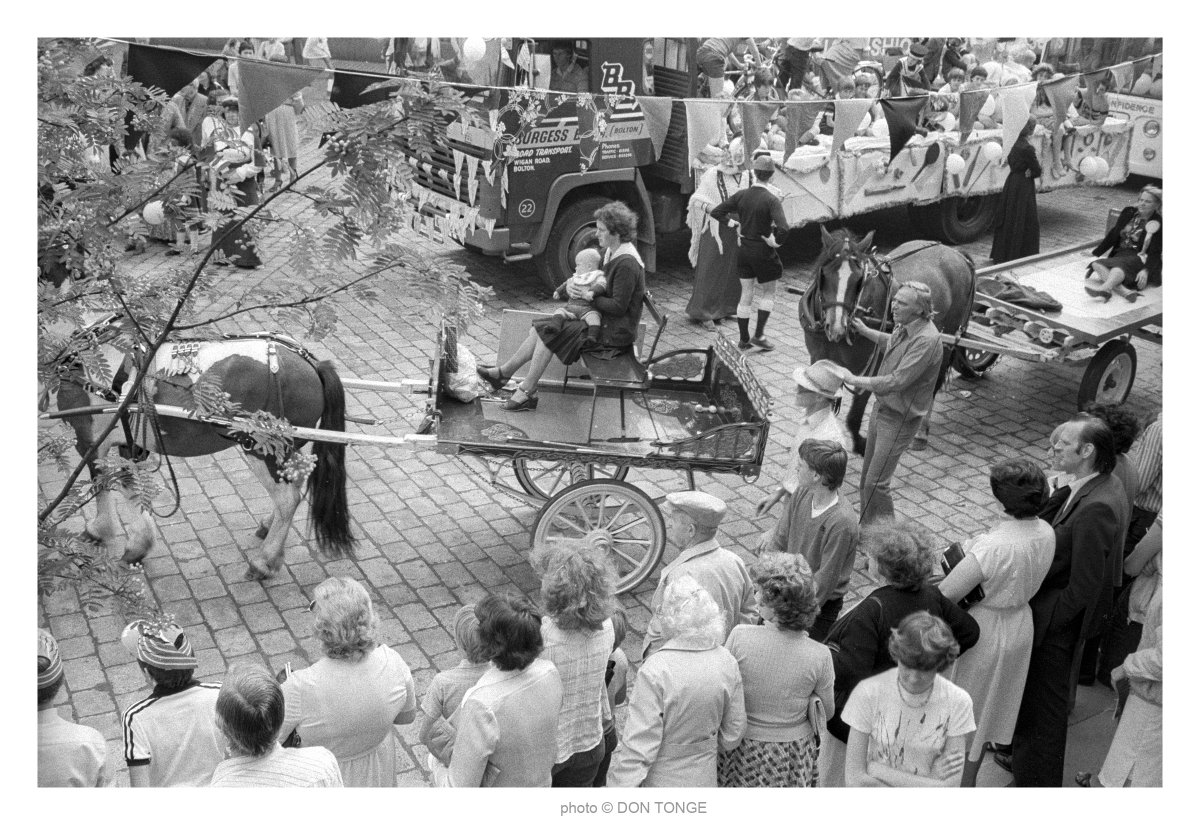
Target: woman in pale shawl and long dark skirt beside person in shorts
x=715, y=244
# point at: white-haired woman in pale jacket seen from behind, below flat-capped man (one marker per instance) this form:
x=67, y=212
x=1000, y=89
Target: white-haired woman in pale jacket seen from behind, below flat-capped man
x=688, y=702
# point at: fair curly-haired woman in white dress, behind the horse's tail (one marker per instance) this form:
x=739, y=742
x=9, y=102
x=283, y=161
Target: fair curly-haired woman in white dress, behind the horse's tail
x=350, y=700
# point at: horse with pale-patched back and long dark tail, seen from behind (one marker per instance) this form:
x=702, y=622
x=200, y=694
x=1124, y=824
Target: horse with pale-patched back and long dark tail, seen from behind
x=271, y=374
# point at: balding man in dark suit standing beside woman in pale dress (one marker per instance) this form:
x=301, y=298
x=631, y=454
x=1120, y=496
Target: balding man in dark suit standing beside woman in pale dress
x=1088, y=521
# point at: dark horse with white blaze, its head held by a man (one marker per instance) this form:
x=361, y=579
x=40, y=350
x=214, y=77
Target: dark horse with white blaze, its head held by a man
x=851, y=280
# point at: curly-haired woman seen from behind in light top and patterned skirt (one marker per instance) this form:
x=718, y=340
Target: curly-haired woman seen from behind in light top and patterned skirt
x=783, y=673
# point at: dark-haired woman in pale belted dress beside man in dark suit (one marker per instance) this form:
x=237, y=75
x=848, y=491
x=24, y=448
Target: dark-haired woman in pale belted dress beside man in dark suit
x=1010, y=562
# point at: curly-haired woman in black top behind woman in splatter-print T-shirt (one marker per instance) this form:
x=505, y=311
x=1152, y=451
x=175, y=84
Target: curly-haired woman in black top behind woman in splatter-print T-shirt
x=903, y=556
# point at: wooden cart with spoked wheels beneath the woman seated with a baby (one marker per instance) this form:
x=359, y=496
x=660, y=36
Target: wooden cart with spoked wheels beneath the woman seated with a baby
x=691, y=410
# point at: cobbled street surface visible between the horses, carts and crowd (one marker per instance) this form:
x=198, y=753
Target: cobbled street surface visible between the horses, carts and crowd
x=434, y=532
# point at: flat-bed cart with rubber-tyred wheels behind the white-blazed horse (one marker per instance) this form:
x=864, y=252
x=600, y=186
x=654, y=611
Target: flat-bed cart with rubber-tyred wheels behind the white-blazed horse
x=1085, y=333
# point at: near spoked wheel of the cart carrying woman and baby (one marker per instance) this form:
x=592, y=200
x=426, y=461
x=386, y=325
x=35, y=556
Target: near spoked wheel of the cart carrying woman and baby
x=619, y=513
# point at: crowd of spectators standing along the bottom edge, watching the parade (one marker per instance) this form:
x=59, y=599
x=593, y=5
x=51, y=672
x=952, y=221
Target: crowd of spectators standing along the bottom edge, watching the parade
x=751, y=676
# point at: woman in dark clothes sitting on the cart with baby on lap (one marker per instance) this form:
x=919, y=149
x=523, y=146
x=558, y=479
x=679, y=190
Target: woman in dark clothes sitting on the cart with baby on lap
x=619, y=299
